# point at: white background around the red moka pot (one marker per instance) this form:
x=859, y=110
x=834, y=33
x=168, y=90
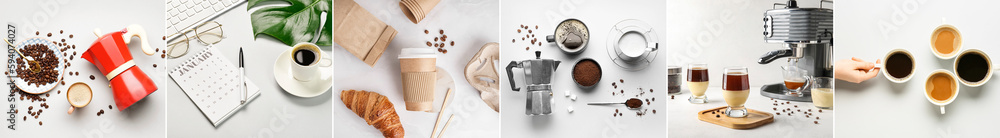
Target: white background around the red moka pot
x=145, y=118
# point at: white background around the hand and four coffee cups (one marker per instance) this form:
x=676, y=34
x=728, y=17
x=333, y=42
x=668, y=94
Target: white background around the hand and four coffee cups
x=880, y=108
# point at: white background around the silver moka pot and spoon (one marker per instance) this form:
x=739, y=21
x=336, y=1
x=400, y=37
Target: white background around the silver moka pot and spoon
x=587, y=120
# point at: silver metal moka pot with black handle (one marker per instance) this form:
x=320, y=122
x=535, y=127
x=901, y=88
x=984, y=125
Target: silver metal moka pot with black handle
x=537, y=77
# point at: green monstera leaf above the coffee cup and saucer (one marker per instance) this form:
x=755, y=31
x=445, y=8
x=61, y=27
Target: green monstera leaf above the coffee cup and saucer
x=299, y=22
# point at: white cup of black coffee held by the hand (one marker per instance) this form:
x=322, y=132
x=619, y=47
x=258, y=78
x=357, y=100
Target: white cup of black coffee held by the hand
x=898, y=66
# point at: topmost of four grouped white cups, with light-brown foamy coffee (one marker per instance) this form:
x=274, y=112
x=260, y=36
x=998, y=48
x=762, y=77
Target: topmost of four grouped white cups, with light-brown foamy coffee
x=946, y=41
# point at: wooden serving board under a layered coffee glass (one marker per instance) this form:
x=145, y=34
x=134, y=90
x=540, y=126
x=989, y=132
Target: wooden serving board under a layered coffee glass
x=753, y=120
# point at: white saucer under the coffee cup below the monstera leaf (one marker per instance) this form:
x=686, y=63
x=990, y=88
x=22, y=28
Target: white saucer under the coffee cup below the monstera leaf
x=305, y=89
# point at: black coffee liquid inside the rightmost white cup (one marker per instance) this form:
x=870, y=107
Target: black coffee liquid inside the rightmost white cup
x=972, y=67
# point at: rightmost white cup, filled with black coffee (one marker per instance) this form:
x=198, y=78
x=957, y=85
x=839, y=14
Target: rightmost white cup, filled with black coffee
x=973, y=67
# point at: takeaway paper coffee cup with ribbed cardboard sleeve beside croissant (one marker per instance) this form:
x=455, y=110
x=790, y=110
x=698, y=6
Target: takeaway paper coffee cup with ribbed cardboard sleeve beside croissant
x=418, y=69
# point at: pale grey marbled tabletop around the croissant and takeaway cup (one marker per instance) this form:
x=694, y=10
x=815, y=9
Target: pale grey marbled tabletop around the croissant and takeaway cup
x=470, y=23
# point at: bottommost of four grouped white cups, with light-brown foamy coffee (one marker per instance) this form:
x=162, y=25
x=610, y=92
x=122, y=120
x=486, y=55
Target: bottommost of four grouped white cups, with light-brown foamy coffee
x=941, y=88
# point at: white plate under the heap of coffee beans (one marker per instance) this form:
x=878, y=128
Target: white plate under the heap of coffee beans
x=33, y=89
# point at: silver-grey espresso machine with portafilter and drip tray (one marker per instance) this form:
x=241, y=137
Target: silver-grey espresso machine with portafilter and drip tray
x=807, y=34
